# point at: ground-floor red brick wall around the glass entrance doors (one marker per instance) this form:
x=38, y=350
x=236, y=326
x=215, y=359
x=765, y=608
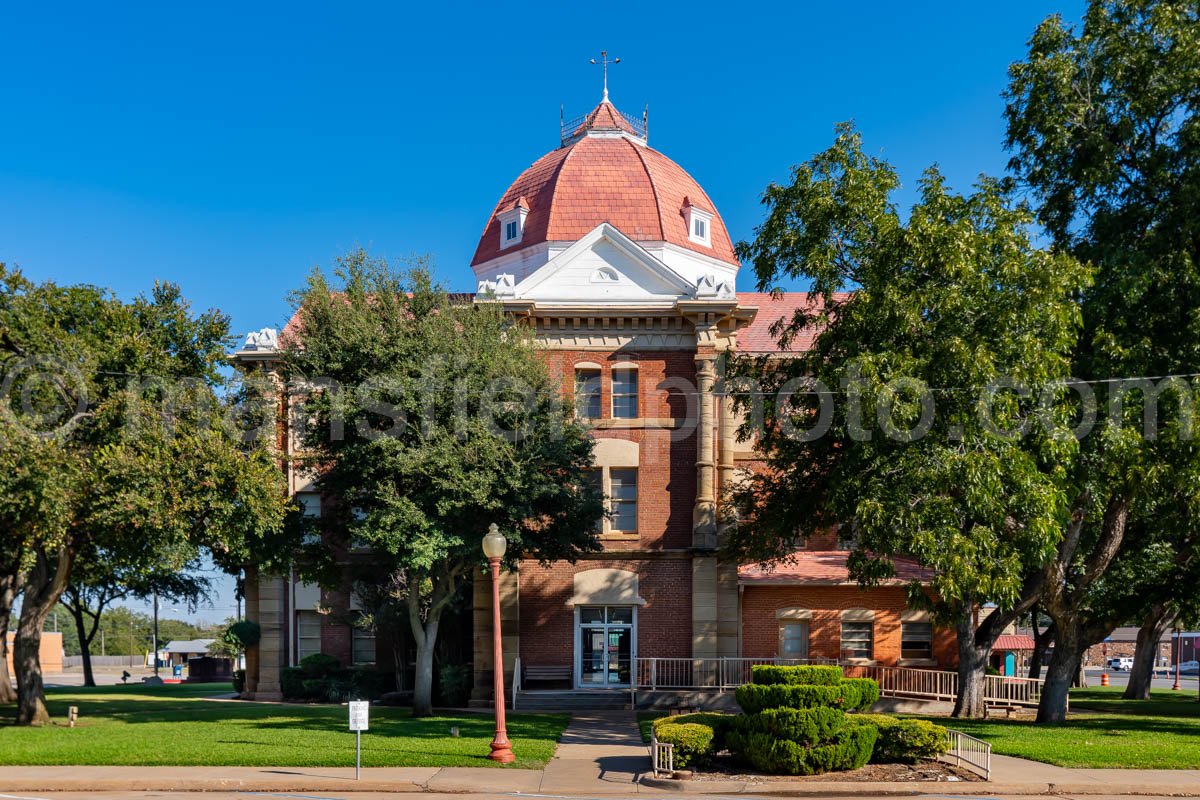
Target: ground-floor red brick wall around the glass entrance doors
x=548, y=623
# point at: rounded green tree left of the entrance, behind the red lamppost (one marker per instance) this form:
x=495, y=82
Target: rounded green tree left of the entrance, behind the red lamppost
x=436, y=418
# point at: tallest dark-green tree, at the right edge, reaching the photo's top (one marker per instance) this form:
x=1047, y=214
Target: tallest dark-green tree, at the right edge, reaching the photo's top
x=1105, y=130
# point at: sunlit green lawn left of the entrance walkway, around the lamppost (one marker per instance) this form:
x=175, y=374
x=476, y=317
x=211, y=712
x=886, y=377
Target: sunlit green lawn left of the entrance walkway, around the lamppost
x=176, y=726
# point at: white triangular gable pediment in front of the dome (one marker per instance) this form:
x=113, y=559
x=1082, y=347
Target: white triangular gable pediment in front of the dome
x=604, y=267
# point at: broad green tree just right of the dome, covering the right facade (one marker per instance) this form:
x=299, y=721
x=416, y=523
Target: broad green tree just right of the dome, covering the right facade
x=914, y=420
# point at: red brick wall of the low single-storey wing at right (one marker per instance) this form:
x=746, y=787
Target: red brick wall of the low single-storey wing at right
x=760, y=628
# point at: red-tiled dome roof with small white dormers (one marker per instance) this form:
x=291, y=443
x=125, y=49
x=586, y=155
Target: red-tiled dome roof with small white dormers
x=611, y=179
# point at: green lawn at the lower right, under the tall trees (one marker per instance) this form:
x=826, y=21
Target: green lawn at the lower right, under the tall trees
x=1103, y=732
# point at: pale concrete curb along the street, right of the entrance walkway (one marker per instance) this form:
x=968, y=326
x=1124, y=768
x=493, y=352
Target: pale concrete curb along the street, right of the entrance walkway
x=898, y=790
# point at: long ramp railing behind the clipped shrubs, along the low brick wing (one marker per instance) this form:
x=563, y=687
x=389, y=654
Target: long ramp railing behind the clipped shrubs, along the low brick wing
x=727, y=675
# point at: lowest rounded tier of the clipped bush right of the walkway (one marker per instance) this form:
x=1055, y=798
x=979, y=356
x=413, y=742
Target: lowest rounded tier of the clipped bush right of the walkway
x=848, y=750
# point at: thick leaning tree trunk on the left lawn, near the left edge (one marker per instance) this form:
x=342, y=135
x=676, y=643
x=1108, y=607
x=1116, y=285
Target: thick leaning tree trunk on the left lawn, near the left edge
x=44, y=586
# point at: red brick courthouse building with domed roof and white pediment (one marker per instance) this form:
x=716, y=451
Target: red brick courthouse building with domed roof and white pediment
x=622, y=264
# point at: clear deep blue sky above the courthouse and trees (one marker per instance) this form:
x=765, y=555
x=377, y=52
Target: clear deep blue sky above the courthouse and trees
x=232, y=147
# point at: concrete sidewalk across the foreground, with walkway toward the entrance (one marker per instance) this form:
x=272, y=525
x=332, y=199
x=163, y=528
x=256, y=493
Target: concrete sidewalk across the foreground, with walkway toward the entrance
x=601, y=755
